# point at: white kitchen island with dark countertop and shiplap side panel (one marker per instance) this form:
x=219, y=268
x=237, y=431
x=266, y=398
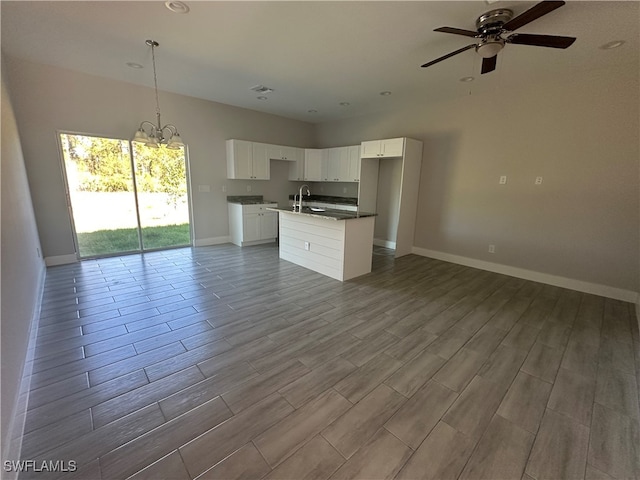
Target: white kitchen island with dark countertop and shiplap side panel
x=336, y=243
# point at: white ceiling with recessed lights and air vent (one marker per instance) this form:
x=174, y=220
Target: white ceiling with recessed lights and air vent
x=313, y=54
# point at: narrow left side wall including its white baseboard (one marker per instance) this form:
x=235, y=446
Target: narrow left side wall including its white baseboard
x=22, y=276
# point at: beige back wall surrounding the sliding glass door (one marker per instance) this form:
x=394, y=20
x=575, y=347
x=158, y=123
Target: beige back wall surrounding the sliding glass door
x=49, y=99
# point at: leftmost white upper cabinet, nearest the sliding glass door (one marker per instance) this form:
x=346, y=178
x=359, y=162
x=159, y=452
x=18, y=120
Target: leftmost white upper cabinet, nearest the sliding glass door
x=247, y=160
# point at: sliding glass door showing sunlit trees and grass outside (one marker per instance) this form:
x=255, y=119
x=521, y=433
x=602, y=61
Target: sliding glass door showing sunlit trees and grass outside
x=125, y=197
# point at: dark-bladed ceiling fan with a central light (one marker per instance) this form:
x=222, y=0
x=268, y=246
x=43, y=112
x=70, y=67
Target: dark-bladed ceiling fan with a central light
x=494, y=30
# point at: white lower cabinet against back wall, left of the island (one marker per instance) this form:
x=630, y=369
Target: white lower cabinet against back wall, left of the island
x=252, y=224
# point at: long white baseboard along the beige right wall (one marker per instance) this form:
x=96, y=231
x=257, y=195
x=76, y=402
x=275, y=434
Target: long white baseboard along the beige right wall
x=555, y=280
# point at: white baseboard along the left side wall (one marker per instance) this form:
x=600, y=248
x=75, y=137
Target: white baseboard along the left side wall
x=13, y=448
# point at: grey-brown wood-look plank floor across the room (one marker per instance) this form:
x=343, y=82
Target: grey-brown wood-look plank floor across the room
x=225, y=362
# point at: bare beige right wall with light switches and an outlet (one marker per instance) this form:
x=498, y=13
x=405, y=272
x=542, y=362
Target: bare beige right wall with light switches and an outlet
x=580, y=133
